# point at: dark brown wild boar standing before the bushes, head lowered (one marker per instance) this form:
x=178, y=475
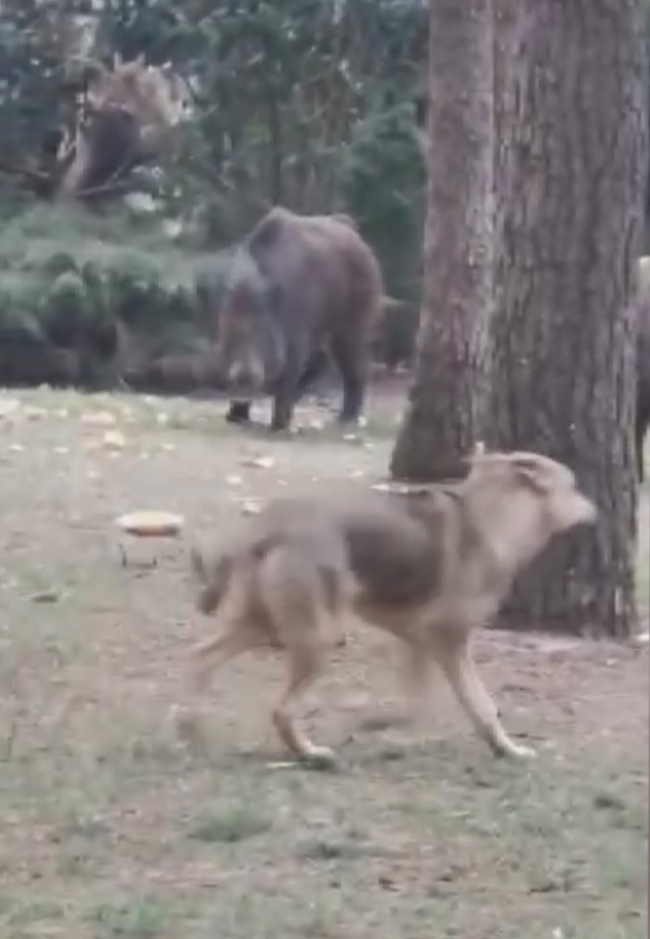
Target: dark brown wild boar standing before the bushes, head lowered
x=301, y=288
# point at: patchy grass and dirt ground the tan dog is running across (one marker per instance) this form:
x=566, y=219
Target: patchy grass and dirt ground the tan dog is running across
x=110, y=827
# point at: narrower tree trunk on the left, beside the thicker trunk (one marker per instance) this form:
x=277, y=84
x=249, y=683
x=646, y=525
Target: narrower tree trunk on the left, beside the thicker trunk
x=444, y=416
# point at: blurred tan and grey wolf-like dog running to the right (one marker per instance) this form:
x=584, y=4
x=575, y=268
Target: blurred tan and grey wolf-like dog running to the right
x=429, y=567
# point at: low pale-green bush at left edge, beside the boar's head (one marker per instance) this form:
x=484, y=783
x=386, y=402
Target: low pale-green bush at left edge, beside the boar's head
x=92, y=300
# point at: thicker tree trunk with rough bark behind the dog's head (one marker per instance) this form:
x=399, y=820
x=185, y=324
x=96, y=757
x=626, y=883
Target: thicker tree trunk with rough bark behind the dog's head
x=571, y=122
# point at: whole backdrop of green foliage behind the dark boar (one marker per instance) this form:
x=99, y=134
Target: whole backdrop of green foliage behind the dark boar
x=300, y=102
